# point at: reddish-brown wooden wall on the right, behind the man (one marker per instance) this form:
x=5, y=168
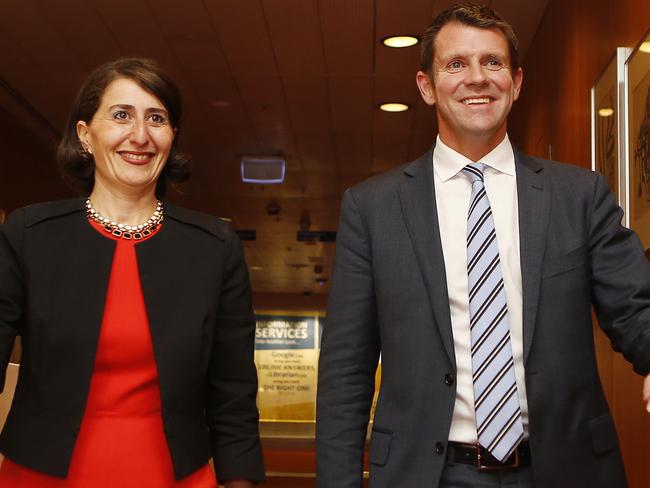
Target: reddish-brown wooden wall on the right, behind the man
x=573, y=44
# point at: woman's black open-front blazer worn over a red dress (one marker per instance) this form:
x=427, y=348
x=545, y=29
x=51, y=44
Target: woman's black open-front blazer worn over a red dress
x=54, y=271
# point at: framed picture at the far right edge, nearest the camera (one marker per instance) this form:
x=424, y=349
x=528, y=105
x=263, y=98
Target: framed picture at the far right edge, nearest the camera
x=637, y=80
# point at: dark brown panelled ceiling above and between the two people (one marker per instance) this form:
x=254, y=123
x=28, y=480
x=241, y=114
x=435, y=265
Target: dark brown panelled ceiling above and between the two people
x=298, y=78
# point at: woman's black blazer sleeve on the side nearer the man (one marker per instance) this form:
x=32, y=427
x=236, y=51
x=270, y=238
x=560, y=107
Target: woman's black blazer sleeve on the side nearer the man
x=232, y=384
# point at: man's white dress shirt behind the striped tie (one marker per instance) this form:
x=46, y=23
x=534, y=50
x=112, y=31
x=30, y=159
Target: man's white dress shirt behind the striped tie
x=453, y=190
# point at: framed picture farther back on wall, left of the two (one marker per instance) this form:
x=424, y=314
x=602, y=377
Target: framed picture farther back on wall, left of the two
x=608, y=124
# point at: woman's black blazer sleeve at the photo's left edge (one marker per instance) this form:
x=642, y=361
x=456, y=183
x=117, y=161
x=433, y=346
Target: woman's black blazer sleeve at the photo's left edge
x=12, y=287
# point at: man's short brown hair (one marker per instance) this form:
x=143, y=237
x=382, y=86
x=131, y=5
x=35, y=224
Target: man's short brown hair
x=473, y=15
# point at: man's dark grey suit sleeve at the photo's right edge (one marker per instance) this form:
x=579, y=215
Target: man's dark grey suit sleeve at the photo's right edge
x=620, y=276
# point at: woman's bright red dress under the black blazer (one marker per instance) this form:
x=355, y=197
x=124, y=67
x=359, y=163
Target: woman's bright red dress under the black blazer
x=121, y=441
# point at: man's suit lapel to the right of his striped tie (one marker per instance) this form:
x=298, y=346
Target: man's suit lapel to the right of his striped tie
x=534, y=206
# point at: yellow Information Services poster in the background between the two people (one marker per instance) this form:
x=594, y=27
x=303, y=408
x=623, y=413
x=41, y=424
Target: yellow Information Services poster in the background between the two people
x=287, y=346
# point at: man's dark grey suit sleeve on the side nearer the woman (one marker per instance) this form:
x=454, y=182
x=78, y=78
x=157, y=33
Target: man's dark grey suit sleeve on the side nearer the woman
x=348, y=358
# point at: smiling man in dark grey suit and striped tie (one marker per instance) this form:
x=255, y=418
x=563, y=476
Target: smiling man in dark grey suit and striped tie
x=472, y=270
